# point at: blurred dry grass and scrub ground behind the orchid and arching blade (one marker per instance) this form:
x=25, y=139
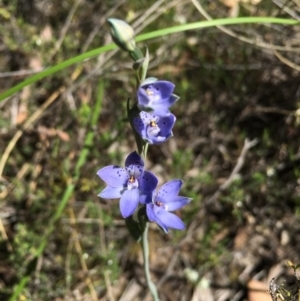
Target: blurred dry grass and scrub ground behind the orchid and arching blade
x=235, y=145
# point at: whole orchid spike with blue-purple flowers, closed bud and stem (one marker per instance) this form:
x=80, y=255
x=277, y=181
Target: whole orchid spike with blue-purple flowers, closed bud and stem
x=152, y=123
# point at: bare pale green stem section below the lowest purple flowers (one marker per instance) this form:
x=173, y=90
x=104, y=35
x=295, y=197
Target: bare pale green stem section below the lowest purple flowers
x=145, y=247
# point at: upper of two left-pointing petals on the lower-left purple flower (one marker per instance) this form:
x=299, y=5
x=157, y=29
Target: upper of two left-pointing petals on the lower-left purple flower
x=113, y=175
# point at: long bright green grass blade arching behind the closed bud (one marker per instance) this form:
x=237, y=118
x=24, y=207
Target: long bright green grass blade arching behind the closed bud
x=143, y=37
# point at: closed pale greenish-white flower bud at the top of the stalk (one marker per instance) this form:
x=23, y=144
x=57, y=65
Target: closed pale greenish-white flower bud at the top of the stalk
x=122, y=34
